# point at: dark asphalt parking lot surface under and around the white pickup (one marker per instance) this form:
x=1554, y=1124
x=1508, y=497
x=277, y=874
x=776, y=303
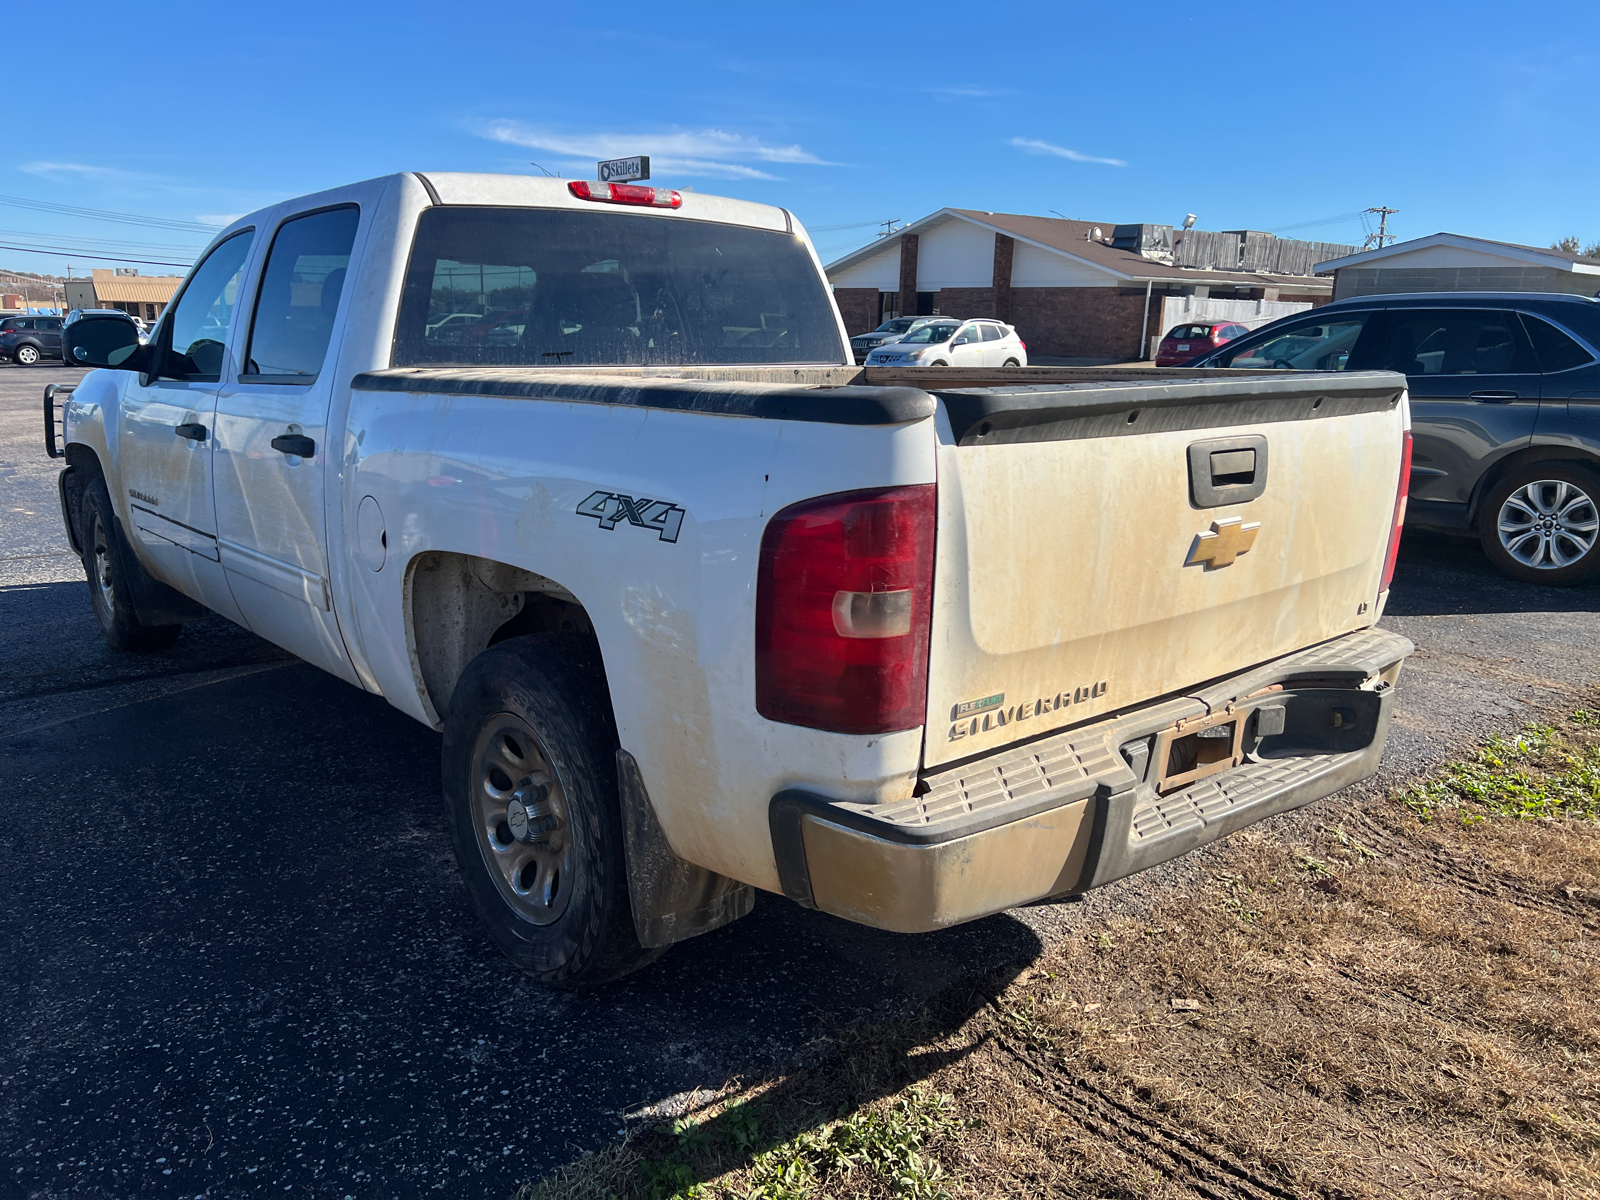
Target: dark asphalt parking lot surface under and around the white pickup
x=238, y=959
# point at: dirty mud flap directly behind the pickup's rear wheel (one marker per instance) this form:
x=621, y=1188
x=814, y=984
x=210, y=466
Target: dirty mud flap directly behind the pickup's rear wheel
x=673, y=900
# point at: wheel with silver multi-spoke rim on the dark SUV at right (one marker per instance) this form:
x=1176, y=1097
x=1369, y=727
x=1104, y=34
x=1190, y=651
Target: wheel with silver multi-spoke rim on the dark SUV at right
x=1542, y=524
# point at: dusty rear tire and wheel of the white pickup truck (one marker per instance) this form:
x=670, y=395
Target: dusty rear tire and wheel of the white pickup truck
x=578, y=930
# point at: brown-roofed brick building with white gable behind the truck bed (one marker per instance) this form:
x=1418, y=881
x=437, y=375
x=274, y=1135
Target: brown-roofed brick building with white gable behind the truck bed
x=1071, y=289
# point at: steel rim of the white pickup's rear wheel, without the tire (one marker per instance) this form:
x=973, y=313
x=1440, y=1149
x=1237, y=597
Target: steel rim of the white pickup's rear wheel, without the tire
x=521, y=818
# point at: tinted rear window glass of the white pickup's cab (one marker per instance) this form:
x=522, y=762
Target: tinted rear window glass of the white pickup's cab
x=575, y=289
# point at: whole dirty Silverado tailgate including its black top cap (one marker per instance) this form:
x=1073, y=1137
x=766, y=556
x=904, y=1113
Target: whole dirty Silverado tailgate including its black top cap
x=1105, y=543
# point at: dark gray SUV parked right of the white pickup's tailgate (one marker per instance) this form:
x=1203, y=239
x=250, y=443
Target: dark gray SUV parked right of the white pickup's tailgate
x=1505, y=412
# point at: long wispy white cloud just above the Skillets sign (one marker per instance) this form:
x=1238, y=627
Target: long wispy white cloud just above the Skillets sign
x=698, y=153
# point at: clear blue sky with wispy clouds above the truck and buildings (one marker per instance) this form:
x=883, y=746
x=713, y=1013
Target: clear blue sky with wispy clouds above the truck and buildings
x=1466, y=118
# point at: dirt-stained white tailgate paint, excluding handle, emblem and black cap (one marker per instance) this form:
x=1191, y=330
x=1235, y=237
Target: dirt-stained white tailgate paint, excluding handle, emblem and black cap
x=1062, y=566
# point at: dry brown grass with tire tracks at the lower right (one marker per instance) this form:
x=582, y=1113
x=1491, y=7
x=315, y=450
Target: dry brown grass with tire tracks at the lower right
x=1401, y=1006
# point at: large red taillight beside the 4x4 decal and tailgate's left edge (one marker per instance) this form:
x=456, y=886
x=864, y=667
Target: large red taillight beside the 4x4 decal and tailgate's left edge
x=842, y=609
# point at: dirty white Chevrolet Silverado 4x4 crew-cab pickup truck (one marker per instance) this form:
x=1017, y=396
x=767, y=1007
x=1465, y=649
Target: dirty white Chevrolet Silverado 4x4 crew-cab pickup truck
x=583, y=478
